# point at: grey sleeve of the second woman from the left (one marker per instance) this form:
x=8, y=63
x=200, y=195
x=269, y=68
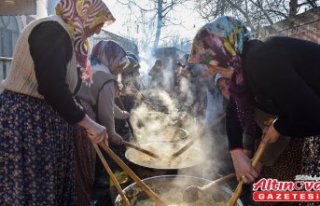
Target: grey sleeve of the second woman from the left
x=106, y=107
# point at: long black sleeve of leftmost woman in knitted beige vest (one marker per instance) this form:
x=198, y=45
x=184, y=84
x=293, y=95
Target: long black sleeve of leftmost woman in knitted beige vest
x=51, y=50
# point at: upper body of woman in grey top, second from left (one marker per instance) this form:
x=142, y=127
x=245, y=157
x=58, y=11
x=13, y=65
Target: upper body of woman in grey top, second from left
x=108, y=61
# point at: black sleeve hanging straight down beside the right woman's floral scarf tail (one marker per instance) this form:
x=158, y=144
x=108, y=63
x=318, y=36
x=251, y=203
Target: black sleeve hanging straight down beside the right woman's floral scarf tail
x=234, y=129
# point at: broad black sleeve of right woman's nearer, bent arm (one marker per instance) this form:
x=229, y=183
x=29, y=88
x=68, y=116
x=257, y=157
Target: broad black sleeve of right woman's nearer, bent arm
x=273, y=73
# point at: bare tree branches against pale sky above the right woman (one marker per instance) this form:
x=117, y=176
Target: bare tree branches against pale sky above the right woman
x=255, y=13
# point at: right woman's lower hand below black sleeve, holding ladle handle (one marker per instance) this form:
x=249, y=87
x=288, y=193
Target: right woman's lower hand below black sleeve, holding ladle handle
x=242, y=165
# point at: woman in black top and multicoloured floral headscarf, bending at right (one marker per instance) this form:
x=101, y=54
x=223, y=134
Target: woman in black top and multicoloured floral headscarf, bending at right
x=279, y=76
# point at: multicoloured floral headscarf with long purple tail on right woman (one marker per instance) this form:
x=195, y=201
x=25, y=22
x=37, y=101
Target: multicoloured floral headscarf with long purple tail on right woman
x=221, y=42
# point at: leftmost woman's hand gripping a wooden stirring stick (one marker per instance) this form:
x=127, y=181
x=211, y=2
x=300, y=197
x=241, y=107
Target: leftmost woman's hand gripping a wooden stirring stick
x=95, y=132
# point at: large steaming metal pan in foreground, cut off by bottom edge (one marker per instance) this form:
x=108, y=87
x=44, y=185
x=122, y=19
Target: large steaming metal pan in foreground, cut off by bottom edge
x=174, y=184
